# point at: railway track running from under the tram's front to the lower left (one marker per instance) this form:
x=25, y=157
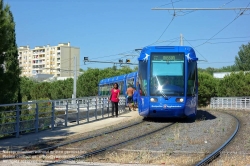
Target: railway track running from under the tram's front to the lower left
x=29, y=153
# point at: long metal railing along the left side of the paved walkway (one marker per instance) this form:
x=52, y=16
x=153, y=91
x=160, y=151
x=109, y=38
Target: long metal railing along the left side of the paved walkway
x=40, y=115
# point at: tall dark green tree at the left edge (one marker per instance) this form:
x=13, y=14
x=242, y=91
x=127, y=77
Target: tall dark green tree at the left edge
x=9, y=66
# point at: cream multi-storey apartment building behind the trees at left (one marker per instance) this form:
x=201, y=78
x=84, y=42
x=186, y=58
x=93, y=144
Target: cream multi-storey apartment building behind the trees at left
x=55, y=60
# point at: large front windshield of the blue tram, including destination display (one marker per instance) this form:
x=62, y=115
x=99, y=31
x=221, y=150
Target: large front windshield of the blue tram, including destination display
x=167, y=74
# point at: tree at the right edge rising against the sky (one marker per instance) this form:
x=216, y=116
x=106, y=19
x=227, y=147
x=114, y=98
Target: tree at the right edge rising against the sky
x=243, y=59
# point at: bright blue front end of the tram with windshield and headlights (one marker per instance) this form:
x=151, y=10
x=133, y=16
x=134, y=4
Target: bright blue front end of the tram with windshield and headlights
x=168, y=82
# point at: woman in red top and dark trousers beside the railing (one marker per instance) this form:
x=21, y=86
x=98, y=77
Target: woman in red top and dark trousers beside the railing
x=114, y=97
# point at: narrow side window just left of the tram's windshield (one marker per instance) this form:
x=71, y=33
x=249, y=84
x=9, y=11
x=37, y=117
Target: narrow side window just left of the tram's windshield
x=142, y=74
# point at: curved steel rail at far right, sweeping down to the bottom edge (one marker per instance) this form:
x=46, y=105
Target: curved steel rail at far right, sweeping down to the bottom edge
x=217, y=152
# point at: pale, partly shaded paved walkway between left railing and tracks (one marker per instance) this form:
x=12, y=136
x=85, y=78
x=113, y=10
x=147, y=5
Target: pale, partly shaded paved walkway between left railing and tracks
x=14, y=144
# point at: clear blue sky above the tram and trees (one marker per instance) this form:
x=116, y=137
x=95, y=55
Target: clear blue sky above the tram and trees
x=109, y=30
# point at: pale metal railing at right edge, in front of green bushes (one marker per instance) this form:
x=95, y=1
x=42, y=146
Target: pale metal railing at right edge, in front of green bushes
x=230, y=102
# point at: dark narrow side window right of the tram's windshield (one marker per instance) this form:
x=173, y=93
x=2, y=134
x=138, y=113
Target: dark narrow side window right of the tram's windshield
x=192, y=71
